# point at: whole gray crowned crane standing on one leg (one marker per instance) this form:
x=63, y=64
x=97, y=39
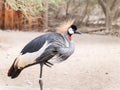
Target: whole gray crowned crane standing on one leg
x=44, y=48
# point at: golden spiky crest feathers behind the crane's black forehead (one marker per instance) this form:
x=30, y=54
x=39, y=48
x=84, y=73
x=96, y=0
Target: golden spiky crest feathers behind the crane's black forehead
x=63, y=27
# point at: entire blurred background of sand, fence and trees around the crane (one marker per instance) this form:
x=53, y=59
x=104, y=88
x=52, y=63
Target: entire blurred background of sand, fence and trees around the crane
x=95, y=64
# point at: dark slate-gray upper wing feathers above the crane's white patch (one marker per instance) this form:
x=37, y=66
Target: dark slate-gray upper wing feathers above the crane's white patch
x=38, y=42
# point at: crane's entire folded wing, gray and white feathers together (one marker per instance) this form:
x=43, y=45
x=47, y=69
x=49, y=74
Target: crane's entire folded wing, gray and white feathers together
x=39, y=50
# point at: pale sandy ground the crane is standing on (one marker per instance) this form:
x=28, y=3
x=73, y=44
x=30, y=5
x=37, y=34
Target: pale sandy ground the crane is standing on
x=95, y=64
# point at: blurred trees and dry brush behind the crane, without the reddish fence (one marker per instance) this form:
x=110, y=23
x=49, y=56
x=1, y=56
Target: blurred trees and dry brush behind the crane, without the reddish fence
x=91, y=15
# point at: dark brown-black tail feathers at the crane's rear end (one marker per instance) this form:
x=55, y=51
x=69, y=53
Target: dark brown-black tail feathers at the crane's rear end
x=14, y=71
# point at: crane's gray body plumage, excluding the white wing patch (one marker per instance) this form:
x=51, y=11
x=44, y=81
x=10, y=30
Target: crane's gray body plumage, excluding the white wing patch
x=59, y=47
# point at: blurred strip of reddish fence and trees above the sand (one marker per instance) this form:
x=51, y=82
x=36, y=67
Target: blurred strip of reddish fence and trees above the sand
x=92, y=16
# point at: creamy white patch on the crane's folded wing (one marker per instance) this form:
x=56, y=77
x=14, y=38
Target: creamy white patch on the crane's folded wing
x=29, y=58
